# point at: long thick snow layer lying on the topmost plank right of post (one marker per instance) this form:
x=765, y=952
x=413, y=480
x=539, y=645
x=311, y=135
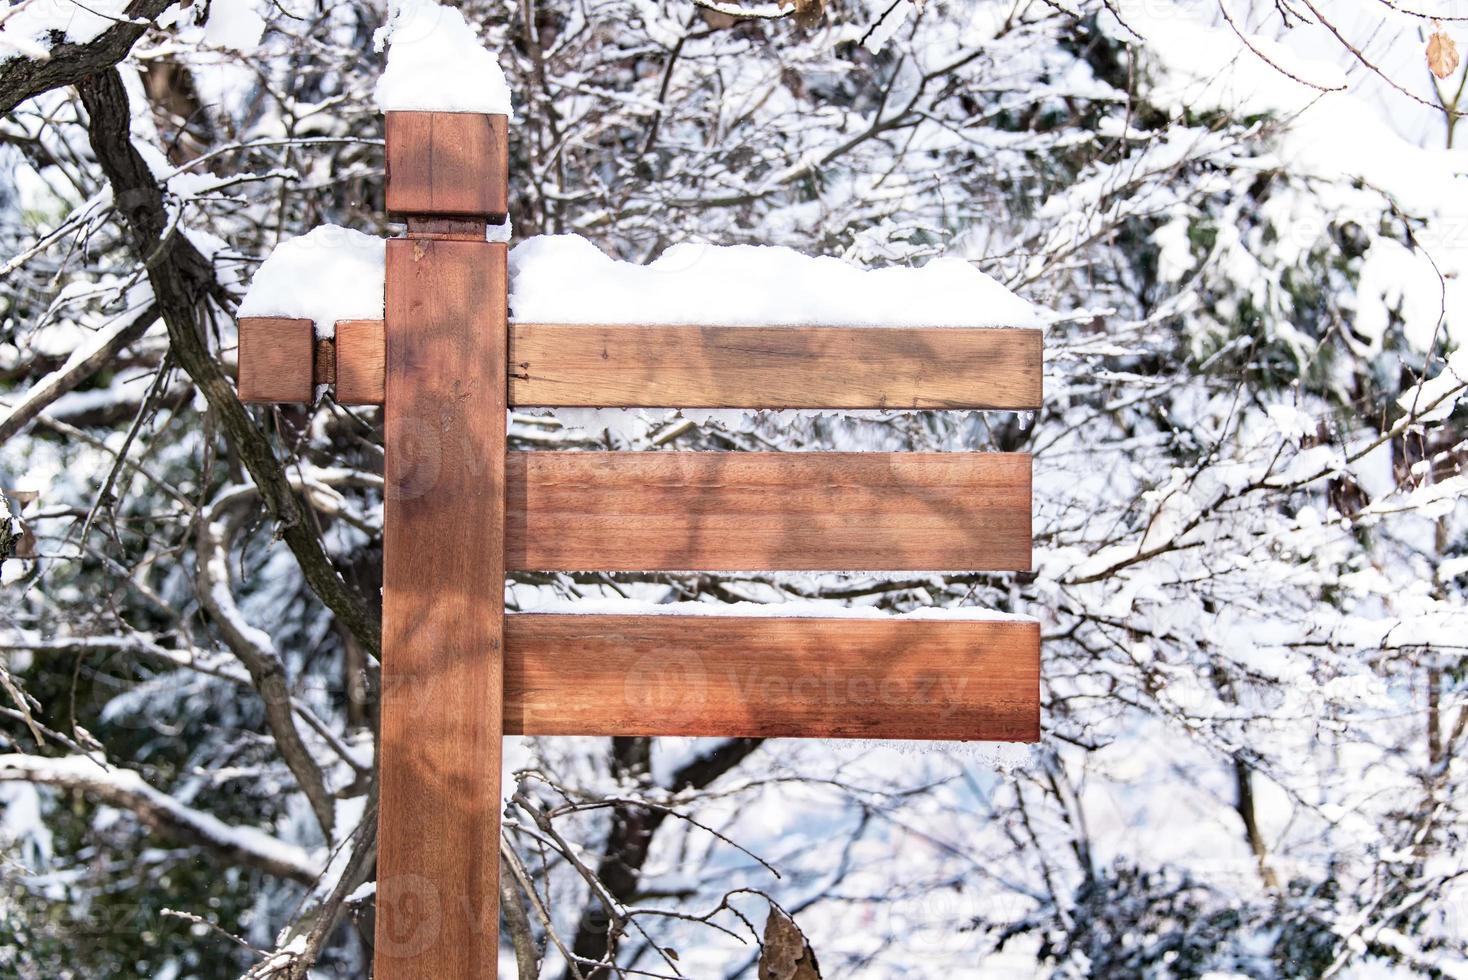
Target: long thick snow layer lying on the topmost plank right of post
x=751, y=285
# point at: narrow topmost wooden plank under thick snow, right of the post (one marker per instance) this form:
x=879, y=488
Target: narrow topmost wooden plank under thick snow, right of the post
x=774, y=367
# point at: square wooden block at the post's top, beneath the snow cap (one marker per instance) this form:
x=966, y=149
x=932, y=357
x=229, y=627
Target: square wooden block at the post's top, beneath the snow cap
x=446, y=165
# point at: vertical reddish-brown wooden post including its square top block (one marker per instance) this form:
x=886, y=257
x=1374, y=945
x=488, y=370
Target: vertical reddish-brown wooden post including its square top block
x=444, y=570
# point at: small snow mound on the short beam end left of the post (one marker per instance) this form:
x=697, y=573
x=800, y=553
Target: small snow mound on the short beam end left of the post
x=330, y=274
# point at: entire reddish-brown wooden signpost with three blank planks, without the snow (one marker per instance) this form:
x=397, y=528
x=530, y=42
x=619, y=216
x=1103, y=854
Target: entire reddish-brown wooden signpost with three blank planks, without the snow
x=460, y=511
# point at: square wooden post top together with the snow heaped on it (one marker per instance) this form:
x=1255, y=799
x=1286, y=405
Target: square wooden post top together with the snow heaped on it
x=448, y=111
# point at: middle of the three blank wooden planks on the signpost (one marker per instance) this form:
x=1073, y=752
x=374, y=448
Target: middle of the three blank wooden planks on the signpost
x=710, y=511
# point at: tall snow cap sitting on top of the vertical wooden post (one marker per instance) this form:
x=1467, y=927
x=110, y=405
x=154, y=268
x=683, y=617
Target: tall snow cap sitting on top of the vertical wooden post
x=438, y=64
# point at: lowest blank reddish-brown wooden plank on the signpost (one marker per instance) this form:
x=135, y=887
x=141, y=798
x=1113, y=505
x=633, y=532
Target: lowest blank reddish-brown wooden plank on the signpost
x=771, y=679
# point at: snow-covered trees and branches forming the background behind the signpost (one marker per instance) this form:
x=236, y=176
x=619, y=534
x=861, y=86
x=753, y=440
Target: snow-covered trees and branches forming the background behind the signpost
x=1244, y=225
